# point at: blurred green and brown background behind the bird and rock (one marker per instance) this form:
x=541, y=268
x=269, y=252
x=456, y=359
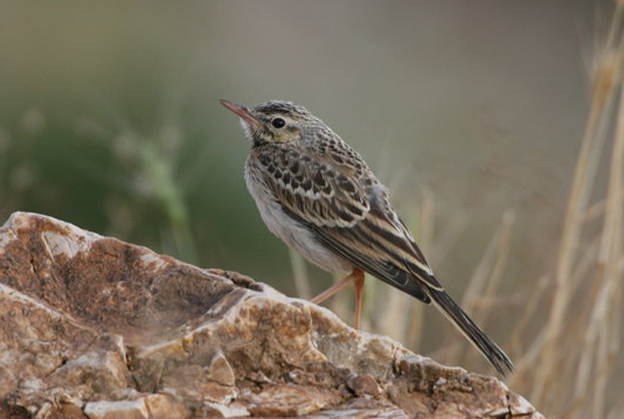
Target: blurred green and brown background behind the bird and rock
x=472, y=113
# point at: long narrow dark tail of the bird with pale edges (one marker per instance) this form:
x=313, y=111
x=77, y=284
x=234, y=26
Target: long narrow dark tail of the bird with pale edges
x=470, y=330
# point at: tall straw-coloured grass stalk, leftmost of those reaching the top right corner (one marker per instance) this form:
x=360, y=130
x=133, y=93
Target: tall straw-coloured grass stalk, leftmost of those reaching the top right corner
x=606, y=81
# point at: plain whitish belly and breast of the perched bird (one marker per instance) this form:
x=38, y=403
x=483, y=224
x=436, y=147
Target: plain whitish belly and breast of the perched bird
x=292, y=232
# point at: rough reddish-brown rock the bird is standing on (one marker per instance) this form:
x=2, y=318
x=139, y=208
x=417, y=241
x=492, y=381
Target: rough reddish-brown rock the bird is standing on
x=91, y=327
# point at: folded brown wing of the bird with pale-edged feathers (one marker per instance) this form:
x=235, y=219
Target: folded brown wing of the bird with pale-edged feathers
x=350, y=215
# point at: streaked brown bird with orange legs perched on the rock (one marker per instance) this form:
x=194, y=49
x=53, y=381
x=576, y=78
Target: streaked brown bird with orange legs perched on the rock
x=318, y=195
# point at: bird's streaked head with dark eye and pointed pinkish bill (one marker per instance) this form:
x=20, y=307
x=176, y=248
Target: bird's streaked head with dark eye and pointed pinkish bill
x=272, y=122
